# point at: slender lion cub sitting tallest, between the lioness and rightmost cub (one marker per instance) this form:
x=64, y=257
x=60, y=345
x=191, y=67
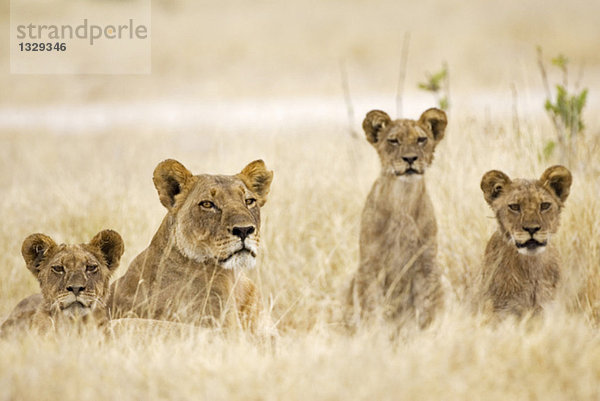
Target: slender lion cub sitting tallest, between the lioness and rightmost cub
x=398, y=274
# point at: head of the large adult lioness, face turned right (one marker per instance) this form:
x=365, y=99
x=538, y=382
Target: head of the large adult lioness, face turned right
x=216, y=217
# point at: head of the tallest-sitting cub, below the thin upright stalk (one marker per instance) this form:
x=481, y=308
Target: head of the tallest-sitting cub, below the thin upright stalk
x=405, y=147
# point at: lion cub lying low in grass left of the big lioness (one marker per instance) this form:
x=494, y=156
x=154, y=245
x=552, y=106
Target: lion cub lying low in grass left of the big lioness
x=74, y=282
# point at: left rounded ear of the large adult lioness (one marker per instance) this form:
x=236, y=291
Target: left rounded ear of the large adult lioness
x=170, y=179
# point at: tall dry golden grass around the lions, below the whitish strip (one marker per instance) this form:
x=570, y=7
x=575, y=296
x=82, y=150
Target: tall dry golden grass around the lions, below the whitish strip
x=71, y=186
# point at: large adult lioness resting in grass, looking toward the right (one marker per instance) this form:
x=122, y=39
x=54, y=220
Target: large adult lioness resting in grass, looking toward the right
x=192, y=271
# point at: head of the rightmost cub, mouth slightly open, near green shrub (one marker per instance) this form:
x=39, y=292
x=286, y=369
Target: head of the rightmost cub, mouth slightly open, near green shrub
x=527, y=211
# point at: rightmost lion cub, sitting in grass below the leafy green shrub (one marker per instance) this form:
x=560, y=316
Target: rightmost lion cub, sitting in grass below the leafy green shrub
x=521, y=268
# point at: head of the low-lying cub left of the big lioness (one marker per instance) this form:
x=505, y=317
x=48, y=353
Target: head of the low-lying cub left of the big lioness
x=73, y=278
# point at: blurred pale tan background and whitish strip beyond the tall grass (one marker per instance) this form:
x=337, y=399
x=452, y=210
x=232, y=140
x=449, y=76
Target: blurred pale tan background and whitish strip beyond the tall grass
x=251, y=59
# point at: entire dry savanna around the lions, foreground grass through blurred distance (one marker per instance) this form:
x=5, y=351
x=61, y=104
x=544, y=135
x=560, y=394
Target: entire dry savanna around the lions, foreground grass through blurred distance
x=248, y=80
